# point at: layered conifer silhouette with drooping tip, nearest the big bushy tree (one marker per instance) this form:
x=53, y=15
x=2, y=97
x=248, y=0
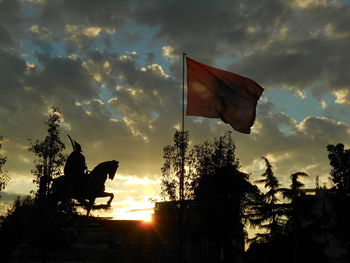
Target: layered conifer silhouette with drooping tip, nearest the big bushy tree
x=271, y=211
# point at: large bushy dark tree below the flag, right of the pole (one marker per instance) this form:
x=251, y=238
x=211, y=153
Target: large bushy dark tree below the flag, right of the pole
x=225, y=197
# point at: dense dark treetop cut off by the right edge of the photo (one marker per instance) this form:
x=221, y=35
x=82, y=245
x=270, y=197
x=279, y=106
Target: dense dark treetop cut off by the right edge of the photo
x=339, y=158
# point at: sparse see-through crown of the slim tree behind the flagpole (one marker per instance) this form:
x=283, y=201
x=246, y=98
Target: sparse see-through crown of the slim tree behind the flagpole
x=175, y=183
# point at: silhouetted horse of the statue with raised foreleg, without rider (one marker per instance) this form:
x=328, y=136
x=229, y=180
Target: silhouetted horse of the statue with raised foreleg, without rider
x=91, y=186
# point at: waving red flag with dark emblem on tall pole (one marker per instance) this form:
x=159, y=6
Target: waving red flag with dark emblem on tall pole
x=217, y=93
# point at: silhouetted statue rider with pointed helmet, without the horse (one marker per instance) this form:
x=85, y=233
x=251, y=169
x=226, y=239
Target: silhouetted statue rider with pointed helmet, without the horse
x=75, y=167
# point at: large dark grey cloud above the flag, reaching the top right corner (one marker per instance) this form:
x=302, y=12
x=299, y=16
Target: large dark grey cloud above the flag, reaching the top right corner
x=275, y=42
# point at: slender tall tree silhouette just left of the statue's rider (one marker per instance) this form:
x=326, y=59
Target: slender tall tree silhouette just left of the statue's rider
x=49, y=152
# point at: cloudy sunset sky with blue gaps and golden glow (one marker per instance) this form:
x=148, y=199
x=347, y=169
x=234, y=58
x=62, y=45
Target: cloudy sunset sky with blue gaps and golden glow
x=114, y=68
